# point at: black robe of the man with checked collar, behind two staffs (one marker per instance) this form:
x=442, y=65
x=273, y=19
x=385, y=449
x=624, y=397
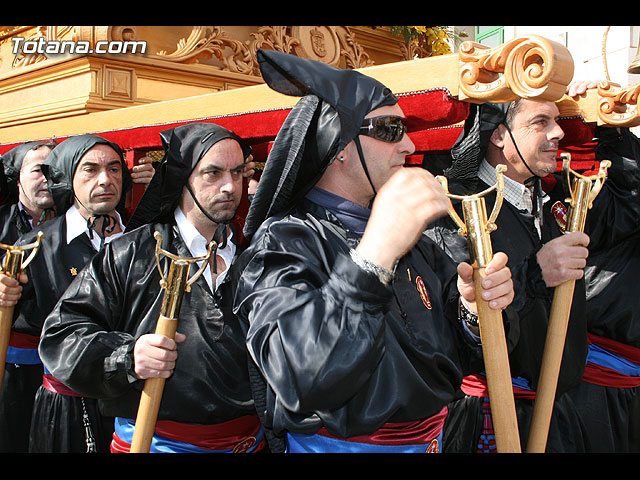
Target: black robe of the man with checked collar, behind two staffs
x=516, y=236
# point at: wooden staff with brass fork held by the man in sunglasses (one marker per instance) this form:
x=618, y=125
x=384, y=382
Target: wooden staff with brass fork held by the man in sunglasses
x=477, y=229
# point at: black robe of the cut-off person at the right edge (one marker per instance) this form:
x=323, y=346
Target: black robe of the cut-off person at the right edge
x=612, y=414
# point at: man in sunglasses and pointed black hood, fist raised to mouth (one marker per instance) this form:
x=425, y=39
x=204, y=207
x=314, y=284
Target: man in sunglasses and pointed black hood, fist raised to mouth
x=353, y=314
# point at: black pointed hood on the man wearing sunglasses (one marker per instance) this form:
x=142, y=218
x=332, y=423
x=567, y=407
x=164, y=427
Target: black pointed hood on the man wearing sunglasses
x=329, y=115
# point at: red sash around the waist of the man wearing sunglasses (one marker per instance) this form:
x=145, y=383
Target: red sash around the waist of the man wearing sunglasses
x=404, y=433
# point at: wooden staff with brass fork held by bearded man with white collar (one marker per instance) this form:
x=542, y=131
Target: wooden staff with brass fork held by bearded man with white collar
x=175, y=285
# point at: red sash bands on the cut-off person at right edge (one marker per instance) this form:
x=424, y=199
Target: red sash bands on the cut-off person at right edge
x=599, y=375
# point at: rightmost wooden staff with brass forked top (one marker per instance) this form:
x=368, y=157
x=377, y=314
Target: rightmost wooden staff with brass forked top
x=583, y=192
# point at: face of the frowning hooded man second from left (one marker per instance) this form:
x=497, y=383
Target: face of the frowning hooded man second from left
x=97, y=182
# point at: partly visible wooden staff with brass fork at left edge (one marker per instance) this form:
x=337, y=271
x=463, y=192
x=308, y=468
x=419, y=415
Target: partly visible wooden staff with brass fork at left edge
x=13, y=265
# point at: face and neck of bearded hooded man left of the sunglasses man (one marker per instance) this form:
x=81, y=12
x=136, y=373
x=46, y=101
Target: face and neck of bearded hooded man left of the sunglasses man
x=216, y=181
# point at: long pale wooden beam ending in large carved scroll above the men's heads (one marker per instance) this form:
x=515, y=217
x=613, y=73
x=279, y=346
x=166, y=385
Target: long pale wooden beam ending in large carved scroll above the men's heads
x=530, y=66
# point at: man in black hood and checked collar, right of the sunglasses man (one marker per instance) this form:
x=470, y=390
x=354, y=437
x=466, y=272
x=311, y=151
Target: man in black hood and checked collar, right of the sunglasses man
x=524, y=135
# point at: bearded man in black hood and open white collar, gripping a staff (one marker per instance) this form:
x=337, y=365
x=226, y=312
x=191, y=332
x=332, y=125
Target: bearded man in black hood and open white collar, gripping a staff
x=100, y=340
